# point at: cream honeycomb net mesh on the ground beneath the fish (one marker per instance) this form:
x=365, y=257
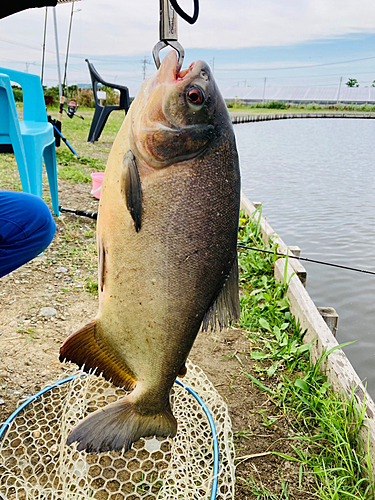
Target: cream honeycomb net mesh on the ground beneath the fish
x=35, y=462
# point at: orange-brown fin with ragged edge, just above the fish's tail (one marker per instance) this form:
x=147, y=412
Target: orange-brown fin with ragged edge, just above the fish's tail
x=86, y=349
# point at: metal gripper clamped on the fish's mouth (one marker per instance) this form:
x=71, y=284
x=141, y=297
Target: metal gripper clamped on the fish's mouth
x=168, y=34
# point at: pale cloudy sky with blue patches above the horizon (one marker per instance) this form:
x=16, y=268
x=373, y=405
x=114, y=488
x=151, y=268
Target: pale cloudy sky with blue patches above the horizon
x=247, y=42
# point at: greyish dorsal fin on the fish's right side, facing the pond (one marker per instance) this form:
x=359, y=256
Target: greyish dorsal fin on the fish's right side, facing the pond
x=225, y=309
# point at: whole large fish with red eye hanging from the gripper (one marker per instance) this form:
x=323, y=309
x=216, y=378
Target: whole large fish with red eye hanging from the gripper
x=167, y=252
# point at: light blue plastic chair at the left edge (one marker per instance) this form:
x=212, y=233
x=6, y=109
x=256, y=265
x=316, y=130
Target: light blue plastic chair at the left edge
x=32, y=139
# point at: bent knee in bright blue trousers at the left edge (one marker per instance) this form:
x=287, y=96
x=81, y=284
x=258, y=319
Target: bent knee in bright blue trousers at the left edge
x=26, y=229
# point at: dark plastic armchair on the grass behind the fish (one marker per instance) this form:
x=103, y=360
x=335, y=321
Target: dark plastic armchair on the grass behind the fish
x=102, y=112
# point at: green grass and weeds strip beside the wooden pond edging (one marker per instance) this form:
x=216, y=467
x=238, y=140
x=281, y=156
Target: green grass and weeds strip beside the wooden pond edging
x=326, y=425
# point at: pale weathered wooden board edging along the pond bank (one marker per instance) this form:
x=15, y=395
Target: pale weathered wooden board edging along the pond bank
x=338, y=369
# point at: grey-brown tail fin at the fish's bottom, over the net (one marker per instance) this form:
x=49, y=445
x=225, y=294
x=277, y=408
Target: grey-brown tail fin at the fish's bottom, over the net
x=118, y=426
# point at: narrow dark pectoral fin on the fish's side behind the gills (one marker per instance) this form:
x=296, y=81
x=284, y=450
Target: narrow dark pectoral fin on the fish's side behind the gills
x=133, y=190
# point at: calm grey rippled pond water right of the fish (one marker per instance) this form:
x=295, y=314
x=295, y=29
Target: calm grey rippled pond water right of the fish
x=316, y=180
